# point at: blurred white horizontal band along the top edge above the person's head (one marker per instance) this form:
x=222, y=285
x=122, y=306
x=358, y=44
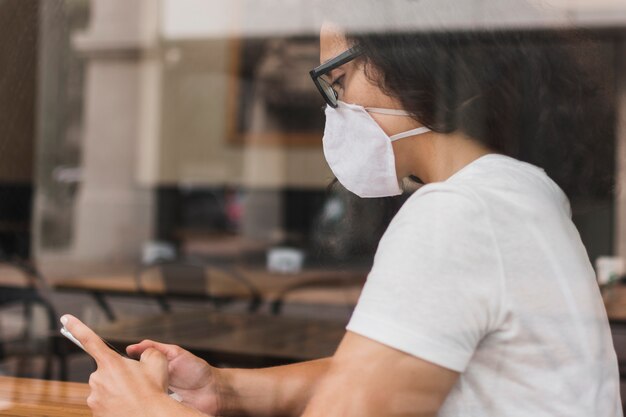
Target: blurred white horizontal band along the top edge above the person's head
x=189, y=19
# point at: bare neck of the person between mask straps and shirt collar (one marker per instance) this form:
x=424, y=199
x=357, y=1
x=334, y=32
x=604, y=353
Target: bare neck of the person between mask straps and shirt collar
x=436, y=157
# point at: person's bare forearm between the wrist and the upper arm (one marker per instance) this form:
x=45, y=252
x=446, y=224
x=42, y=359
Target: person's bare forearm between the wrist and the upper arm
x=279, y=391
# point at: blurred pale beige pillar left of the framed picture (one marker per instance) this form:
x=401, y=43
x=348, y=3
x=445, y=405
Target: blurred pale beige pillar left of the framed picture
x=115, y=214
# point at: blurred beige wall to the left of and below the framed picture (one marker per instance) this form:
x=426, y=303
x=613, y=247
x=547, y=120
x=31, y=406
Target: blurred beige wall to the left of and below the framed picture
x=193, y=146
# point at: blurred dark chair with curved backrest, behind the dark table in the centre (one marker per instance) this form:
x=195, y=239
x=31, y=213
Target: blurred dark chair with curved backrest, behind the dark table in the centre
x=189, y=280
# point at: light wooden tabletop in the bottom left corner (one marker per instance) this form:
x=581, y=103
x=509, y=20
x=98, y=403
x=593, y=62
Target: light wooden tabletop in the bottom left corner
x=36, y=398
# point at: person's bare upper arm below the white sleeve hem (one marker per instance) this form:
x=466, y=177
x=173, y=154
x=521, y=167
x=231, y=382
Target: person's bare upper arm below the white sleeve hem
x=367, y=378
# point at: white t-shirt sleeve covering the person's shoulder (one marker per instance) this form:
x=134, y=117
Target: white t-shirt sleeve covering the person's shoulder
x=434, y=289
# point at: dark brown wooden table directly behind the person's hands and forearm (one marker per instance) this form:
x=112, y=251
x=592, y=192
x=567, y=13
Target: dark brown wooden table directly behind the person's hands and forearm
x=240, y=339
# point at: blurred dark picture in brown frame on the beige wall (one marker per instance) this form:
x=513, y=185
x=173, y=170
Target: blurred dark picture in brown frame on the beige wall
x=272, y=99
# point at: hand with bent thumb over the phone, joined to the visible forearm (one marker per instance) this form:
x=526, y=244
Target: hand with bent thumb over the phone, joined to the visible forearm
x=198, y=383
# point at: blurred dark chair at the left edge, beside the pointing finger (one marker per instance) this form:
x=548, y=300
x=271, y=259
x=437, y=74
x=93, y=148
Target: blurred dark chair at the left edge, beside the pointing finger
x=21, y=285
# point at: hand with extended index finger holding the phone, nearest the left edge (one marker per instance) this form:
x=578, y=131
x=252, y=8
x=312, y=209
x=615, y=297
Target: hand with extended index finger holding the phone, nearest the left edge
x=121, y=386
